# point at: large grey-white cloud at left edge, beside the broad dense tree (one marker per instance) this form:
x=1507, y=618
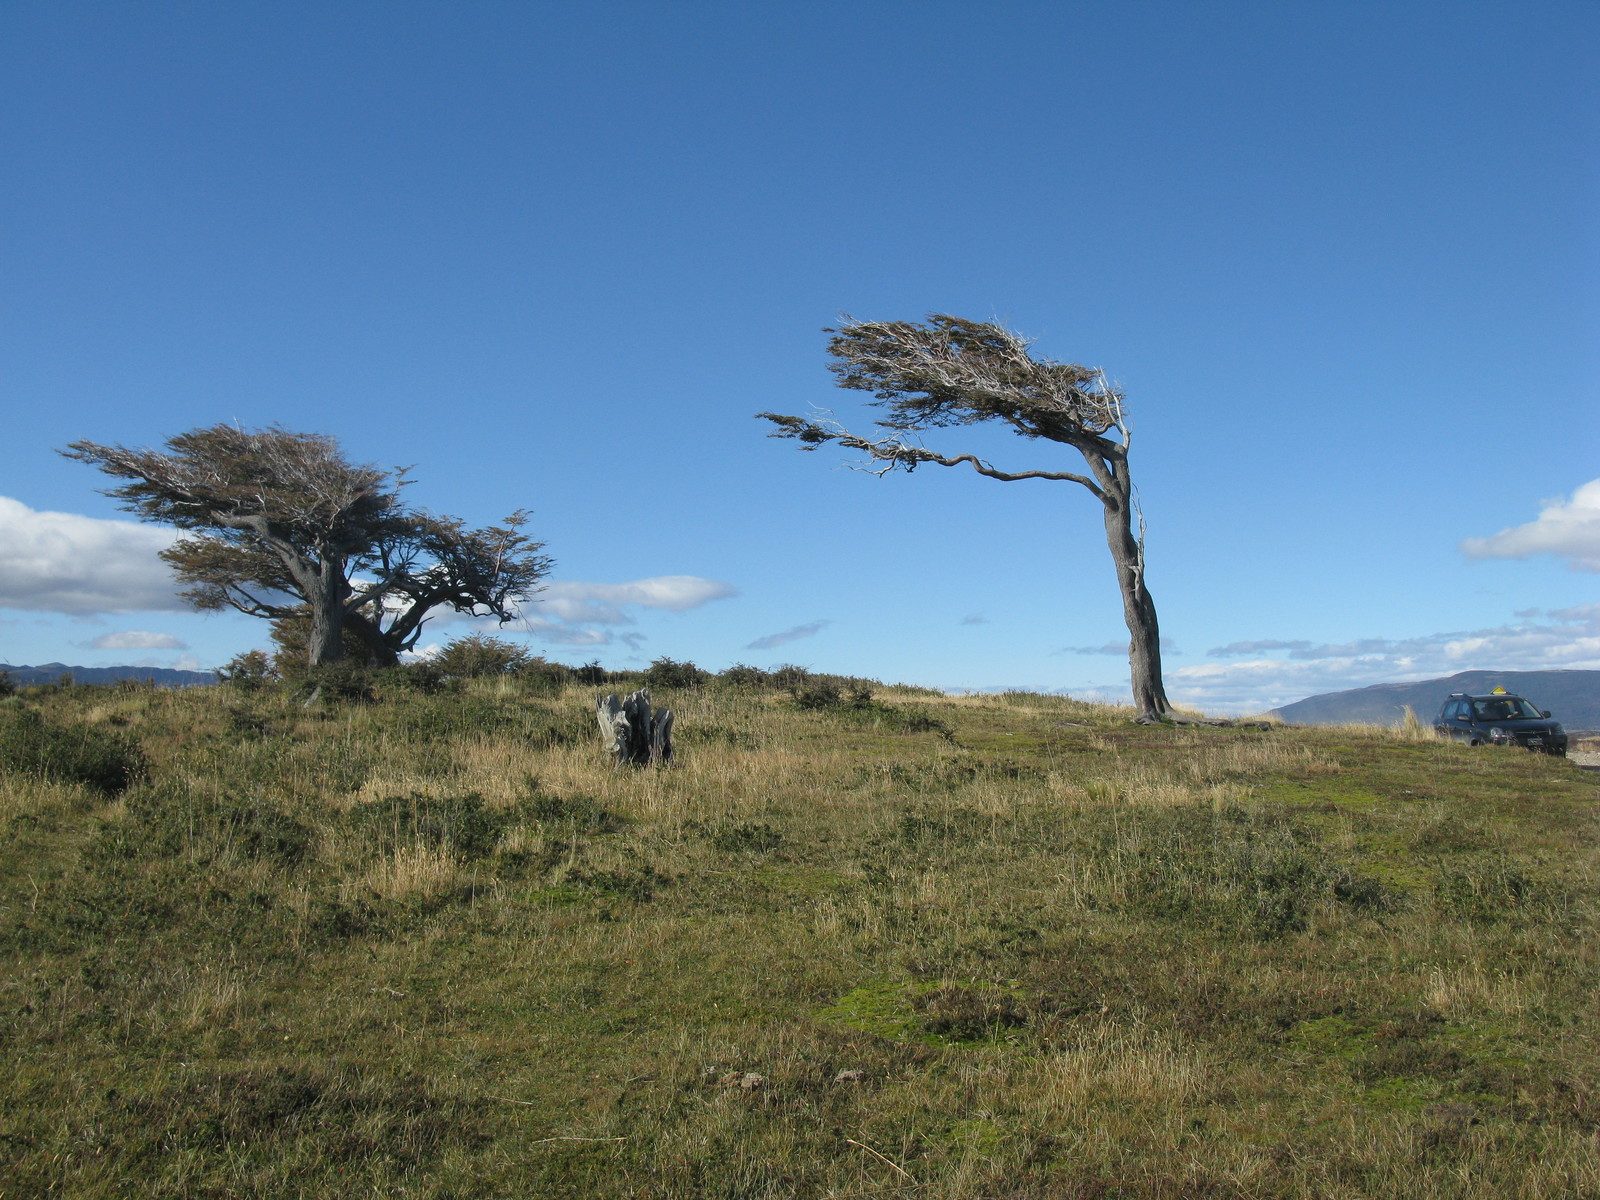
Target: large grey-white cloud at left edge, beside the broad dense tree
x=60, y=562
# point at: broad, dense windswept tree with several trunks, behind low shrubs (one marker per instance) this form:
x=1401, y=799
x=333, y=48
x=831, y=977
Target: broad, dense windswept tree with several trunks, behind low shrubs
x=282, y=526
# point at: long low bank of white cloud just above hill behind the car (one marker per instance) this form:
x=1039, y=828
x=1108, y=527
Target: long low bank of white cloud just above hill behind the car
x=1566, y=639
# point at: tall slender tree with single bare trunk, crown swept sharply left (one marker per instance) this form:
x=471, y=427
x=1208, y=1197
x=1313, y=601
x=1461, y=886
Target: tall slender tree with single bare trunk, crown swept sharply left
x=953, y=372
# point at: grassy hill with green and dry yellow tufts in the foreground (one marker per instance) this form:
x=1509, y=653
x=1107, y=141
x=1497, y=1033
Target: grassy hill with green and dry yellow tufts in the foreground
x=985, y=946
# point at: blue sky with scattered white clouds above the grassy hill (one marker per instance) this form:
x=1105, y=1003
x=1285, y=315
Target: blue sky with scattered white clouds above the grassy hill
x=1342, y=258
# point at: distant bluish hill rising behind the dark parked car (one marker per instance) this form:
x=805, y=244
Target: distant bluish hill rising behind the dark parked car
x=1572, y=697
